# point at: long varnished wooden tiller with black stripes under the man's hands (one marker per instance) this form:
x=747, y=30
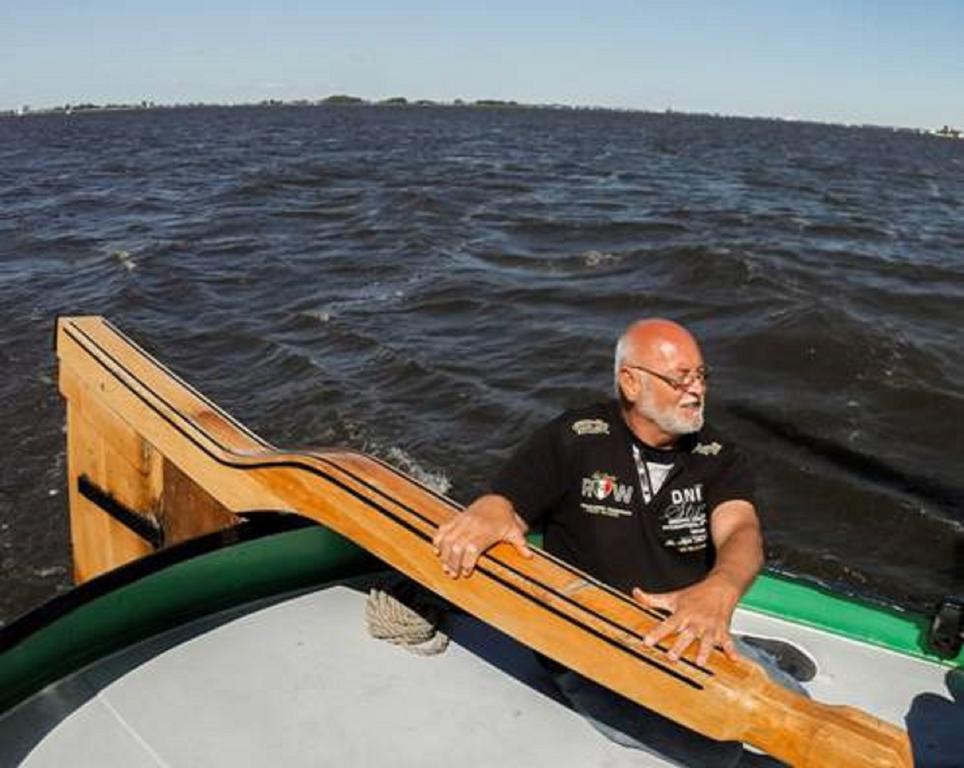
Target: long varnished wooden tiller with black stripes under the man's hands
x=118, y=395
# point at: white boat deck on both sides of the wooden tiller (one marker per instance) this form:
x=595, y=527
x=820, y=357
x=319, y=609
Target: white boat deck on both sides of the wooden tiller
x=300, y=683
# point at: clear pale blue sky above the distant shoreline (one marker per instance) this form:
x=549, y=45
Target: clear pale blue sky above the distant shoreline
x=844, y=61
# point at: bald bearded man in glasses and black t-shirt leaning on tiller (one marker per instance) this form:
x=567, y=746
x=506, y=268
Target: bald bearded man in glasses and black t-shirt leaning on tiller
x=638, y=493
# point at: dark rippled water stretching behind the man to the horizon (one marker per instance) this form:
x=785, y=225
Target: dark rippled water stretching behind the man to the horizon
x=429, y=284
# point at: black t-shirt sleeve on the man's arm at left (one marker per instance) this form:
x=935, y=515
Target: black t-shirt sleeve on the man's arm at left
x=533, y=479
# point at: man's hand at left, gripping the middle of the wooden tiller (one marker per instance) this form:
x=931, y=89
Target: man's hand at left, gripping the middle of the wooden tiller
x=486, y=521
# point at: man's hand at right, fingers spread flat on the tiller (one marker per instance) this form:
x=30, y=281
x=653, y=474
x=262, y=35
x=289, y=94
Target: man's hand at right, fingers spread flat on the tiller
x=700, y=613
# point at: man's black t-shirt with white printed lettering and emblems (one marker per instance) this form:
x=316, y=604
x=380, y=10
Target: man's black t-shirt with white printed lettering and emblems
x=609, y=506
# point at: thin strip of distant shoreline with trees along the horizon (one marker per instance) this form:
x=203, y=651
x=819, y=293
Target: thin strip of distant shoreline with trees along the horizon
x=400, y=102
